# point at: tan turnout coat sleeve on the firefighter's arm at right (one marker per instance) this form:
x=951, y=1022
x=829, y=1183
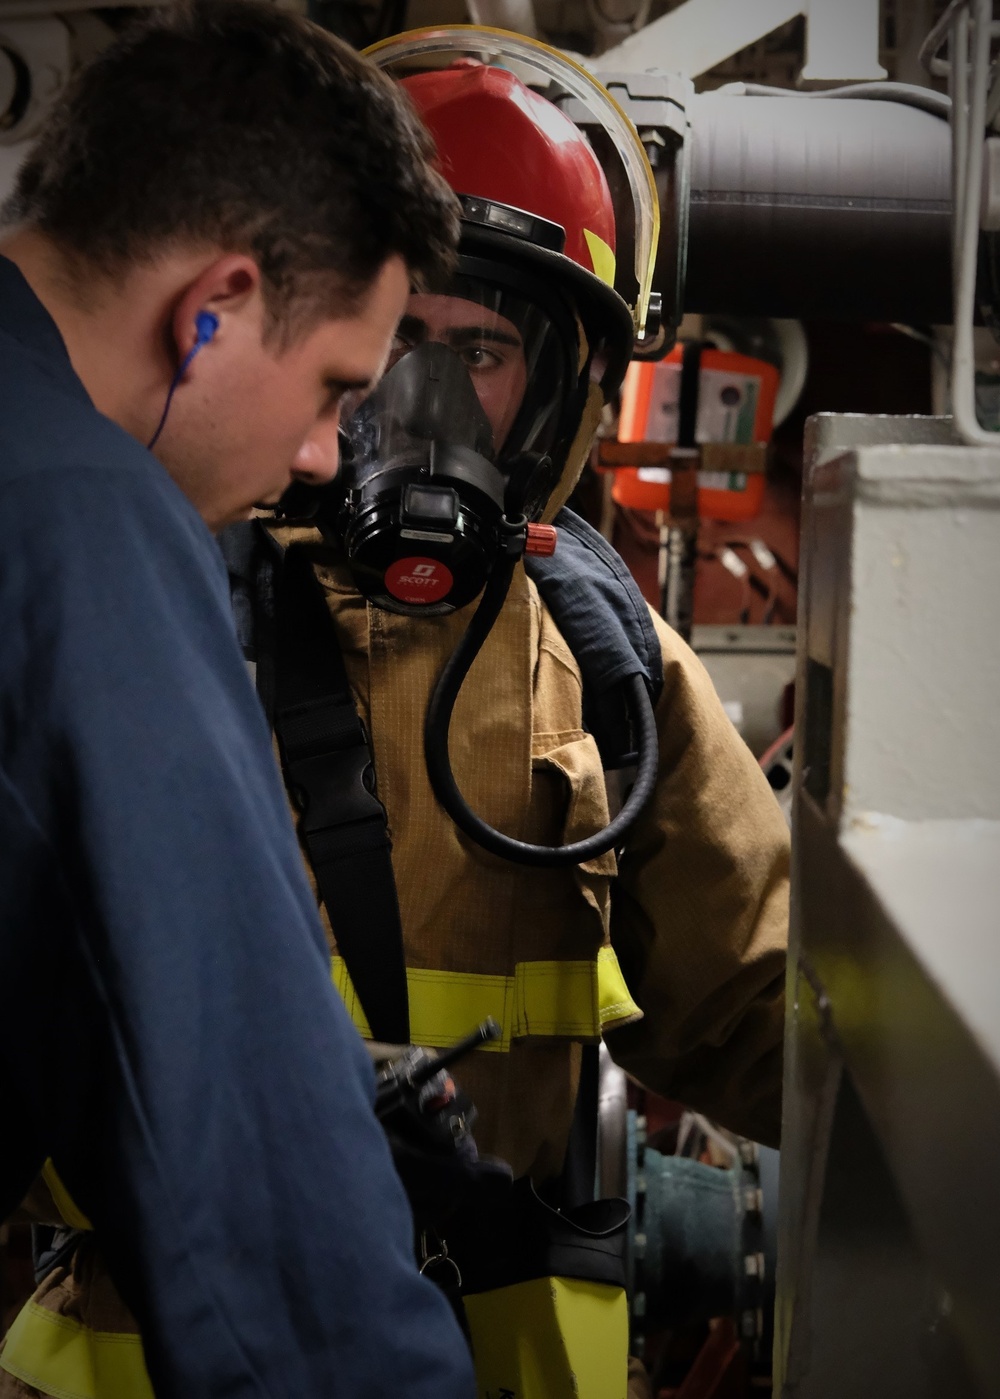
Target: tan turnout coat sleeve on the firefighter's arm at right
x=700, y=916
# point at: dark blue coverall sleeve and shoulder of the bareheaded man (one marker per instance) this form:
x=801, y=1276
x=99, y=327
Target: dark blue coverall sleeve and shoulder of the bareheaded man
x=185, y=1058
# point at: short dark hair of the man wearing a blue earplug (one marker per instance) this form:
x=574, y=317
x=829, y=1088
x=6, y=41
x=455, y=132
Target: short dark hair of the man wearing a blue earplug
x=240, y=127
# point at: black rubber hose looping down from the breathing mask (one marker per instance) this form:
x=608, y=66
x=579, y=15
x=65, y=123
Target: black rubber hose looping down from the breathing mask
x=440, y=770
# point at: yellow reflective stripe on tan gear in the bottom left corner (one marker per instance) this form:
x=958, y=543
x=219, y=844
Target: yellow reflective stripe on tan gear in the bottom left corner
x=65, y=1359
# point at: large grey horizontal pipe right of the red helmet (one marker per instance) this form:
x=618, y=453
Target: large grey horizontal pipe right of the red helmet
x=819, y=208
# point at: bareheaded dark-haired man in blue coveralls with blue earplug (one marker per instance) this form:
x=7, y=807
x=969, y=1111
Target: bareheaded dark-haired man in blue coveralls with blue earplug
x=215, y=240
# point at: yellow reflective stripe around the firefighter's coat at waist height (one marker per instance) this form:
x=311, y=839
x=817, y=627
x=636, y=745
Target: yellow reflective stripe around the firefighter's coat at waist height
x=573, y=1000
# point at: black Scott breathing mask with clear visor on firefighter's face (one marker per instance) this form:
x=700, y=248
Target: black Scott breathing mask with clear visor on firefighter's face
x=455, y=455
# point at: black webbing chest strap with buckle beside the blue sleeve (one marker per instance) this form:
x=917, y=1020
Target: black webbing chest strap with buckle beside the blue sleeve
x=331, y=776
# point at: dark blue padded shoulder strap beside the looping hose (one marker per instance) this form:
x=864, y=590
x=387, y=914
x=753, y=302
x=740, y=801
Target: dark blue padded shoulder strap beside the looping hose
x=606, y=623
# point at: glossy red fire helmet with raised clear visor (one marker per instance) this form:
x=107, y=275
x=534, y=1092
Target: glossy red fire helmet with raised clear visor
x=587, y=216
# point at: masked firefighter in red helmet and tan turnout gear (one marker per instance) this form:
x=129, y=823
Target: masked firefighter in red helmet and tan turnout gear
x=666, y=941
